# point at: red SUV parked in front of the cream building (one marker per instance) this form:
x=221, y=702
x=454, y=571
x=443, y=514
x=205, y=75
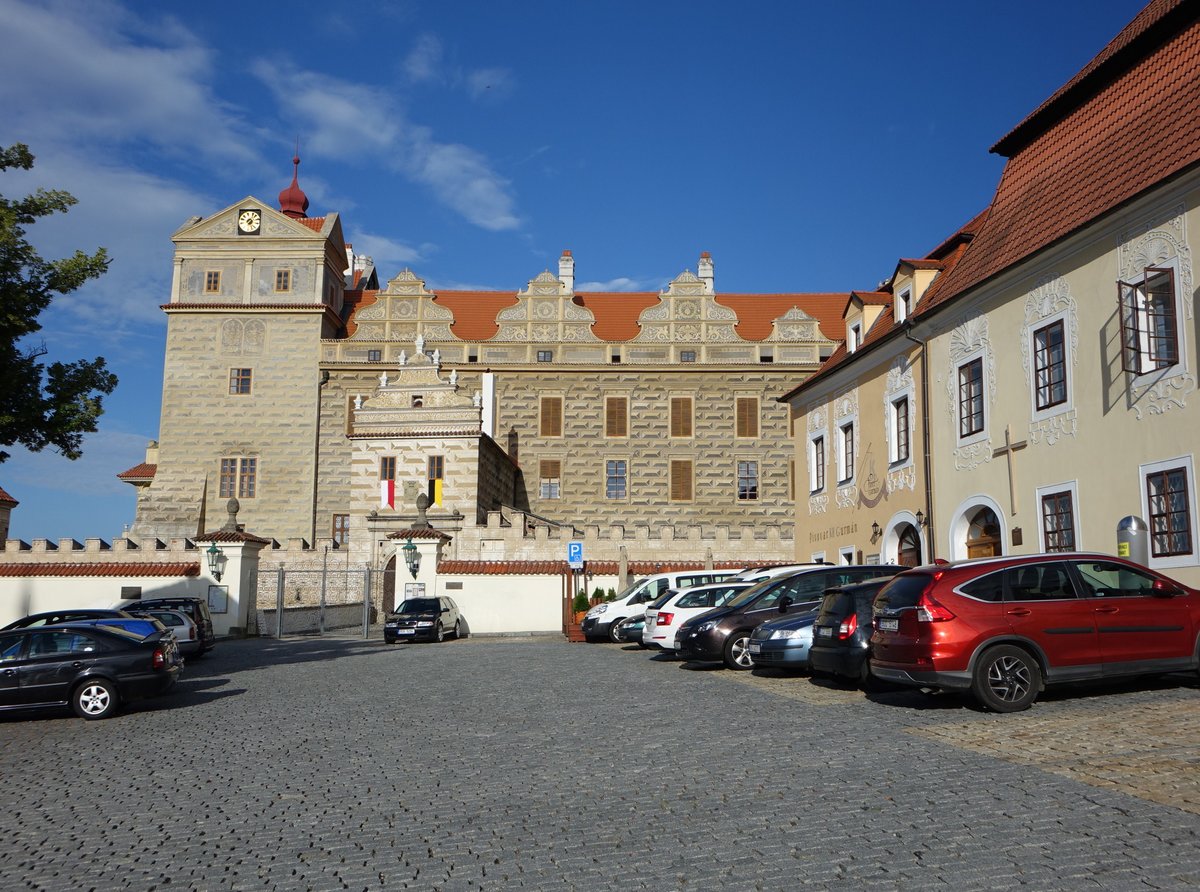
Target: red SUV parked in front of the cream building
x=1006, y=627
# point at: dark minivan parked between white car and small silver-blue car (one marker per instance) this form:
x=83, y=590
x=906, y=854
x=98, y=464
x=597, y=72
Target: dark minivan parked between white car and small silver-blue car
x=724, y=634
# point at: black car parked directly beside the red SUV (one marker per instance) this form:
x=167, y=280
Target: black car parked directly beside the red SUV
x=842, y=632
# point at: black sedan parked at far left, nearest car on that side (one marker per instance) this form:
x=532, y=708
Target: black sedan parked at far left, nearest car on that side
x=94, y=669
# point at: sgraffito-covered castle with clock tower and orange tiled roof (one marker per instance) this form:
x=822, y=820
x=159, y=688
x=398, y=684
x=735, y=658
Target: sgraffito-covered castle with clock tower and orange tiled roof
x=326, y=403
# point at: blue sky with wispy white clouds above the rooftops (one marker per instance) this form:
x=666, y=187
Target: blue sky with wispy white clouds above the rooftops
x=806, y=146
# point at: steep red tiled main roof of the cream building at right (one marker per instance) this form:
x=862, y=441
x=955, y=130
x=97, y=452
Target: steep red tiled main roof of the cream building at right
x=1131, y=122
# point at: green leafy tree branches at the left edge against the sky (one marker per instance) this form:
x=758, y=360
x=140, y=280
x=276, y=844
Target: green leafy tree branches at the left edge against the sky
x=43, y=406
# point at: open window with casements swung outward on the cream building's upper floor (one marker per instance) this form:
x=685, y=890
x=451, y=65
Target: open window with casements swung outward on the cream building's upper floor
x=1149, y=325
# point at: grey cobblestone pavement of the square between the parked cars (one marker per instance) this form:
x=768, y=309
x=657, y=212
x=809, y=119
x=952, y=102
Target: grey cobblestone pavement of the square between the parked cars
x=531, y=764
